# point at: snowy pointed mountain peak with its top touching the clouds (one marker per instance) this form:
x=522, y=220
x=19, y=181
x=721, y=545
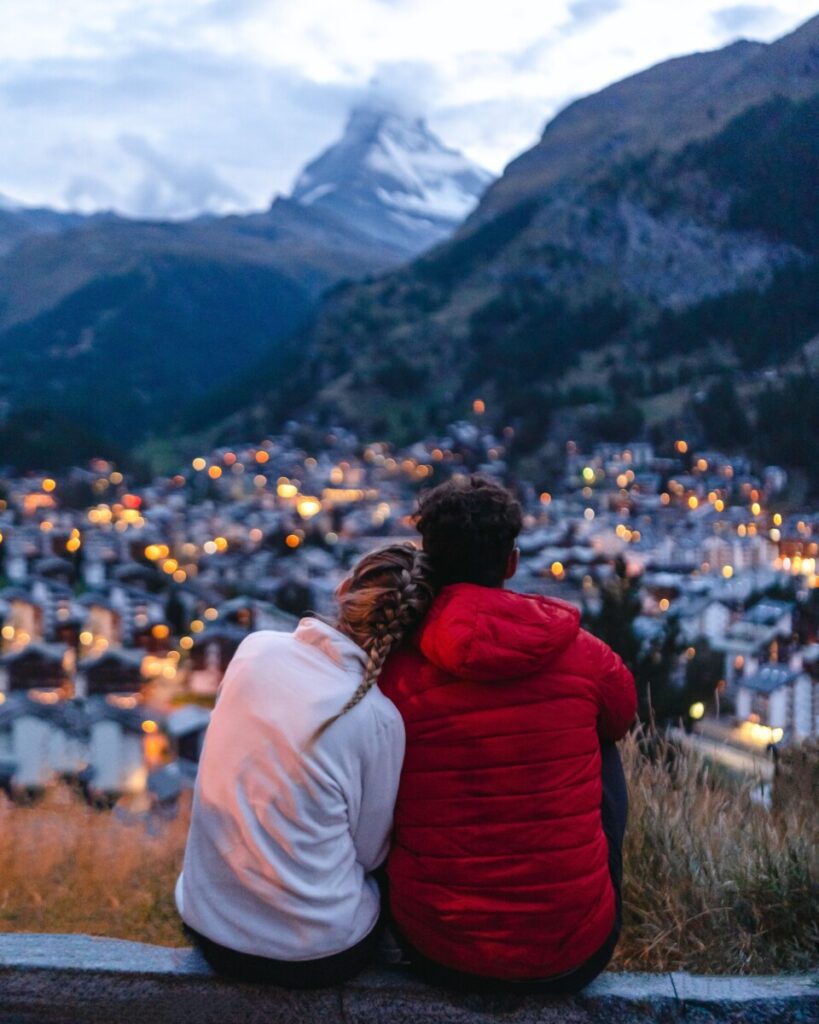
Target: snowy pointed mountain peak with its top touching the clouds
x=395, y=180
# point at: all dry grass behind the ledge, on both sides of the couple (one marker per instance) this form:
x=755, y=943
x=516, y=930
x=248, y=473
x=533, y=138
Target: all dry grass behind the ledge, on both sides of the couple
x=714, y=883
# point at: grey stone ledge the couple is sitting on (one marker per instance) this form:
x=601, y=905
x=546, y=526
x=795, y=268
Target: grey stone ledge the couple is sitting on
x=76, y=979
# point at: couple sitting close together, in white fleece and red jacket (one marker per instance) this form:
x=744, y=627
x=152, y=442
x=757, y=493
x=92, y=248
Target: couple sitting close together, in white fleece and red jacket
x=459, y=735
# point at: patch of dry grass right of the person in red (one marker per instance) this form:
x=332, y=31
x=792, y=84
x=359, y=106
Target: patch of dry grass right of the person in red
x=715, y=883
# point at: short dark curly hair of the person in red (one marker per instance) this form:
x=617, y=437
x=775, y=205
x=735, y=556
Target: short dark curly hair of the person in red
x=469, y=526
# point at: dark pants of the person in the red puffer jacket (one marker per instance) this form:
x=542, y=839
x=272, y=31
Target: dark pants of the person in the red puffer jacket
x=615, y=812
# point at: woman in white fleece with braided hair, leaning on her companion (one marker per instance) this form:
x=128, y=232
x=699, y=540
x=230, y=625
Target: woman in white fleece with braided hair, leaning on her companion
x=296, y=788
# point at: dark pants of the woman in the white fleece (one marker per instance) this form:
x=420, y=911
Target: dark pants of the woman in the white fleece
x=322, y=973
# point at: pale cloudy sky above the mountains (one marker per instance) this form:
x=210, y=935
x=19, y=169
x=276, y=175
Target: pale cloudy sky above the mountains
x=168, y=108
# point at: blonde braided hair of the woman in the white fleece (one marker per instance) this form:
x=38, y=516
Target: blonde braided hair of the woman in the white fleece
x=387, y=598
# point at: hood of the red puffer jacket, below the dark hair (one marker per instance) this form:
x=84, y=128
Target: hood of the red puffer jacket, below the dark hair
x=485, y=633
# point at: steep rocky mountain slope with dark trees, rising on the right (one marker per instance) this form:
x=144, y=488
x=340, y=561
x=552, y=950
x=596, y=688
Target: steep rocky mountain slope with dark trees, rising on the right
x=663, y=234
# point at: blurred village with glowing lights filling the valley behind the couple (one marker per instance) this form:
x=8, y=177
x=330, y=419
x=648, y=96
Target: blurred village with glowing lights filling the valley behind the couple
x=122, y=605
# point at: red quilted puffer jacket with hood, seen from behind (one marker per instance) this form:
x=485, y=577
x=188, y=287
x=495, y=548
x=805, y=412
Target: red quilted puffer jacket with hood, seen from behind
x=500, y=865
